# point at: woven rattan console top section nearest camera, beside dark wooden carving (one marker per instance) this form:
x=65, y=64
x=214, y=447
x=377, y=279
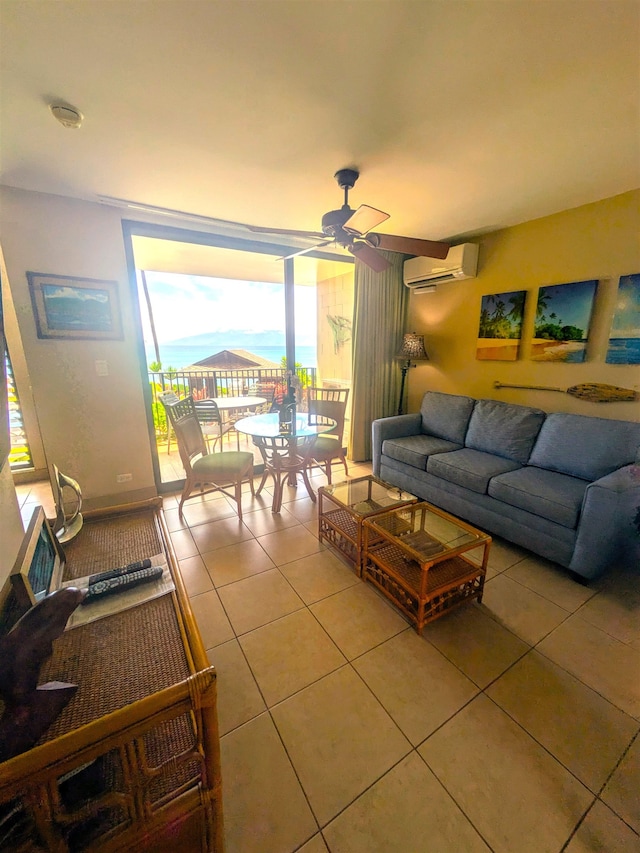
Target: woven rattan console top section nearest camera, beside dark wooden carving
x=115, y=661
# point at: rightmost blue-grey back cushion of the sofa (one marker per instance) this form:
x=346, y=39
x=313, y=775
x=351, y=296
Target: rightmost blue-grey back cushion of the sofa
x=585, y=447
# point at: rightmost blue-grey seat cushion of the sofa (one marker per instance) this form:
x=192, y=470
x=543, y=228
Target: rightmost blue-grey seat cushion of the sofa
x=557, y=497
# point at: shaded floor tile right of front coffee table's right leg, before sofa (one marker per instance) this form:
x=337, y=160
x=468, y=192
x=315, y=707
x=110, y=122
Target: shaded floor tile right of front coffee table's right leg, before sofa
x=530, y=616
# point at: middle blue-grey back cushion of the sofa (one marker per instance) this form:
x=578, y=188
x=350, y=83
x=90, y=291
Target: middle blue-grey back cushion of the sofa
x=504, y=429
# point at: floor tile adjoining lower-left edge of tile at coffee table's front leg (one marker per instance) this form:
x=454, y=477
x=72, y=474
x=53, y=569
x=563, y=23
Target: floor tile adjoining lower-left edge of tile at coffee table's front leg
x=340, y=740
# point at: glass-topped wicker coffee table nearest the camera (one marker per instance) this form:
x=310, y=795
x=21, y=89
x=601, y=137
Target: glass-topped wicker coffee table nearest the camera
x=417, y=557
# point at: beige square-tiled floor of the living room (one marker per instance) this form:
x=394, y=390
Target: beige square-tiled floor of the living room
x=508, y=726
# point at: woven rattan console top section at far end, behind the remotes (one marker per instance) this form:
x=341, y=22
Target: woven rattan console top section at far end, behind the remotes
x=107, y=543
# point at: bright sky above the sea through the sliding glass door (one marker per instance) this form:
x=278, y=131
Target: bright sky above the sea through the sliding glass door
x=185, y=305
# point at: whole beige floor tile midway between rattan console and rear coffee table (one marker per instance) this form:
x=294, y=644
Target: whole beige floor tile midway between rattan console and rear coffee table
x=257, y=600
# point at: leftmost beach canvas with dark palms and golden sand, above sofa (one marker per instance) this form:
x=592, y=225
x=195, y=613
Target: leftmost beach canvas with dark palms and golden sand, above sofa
x=500, y=326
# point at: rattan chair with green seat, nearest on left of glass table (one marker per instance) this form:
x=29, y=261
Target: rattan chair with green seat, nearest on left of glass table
x=220, y=470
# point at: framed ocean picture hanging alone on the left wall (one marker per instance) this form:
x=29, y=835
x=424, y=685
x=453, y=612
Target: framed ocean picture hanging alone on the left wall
x=74, y=308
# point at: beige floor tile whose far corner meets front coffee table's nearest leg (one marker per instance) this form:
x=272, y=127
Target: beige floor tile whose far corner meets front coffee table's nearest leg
x=417, y=685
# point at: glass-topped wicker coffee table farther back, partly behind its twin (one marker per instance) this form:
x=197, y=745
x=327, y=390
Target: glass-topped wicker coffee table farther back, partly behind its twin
x=343, y=507
